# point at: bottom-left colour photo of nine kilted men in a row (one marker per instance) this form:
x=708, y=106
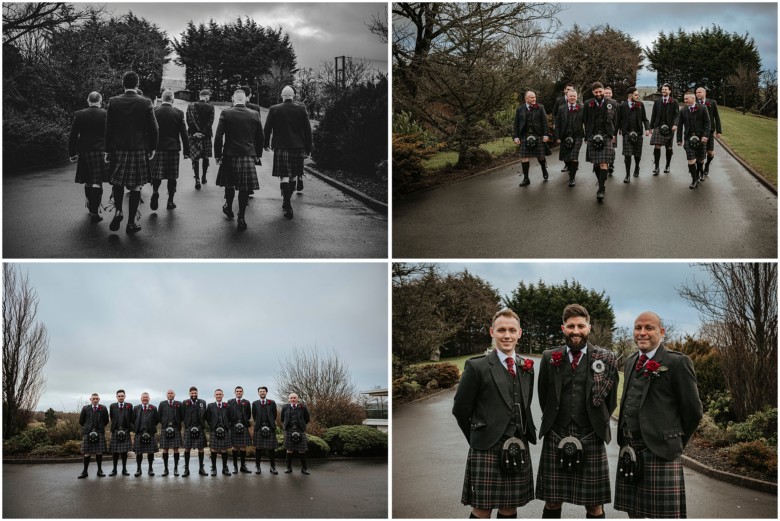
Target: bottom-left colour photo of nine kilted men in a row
x=276, y=375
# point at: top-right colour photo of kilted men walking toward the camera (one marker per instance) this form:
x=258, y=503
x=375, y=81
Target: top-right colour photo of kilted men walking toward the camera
x=601, y=130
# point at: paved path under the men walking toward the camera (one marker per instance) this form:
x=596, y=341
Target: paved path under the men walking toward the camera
x=731, y=215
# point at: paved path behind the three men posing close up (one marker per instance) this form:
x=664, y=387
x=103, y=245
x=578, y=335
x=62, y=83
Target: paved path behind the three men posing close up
x=429, y=459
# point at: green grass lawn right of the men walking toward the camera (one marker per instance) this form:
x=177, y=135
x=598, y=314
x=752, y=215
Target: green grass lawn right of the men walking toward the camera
x=753, y=138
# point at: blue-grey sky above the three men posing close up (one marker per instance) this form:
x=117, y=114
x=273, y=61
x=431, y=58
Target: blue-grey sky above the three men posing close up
x=631, y=287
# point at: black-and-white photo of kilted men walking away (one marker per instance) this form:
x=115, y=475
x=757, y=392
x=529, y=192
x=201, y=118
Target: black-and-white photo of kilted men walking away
x=195, y=130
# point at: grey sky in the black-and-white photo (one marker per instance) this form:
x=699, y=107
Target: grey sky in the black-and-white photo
x=318, y=31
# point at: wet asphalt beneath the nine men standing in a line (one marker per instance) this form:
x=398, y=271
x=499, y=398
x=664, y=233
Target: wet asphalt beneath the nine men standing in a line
x=335, y=489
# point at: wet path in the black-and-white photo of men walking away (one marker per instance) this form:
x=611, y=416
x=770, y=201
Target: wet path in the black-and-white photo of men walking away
x=44, y=217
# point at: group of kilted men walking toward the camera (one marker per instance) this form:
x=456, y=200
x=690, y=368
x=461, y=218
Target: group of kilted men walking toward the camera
x=599, y=121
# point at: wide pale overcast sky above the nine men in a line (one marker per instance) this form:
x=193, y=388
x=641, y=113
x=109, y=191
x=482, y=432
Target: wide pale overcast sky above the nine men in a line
x=155, y=326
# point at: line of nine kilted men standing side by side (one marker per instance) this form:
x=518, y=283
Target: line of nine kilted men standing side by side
x=227, y=422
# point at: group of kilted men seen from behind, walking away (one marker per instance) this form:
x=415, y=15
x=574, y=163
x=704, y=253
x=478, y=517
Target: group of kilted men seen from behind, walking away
x=131, y=143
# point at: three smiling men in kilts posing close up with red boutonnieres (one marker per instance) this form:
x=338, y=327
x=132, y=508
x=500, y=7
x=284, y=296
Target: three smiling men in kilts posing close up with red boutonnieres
x=659, y=411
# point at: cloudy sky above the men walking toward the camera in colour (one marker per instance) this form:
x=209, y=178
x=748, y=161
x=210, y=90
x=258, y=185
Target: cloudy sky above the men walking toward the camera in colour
x=645, y=21
